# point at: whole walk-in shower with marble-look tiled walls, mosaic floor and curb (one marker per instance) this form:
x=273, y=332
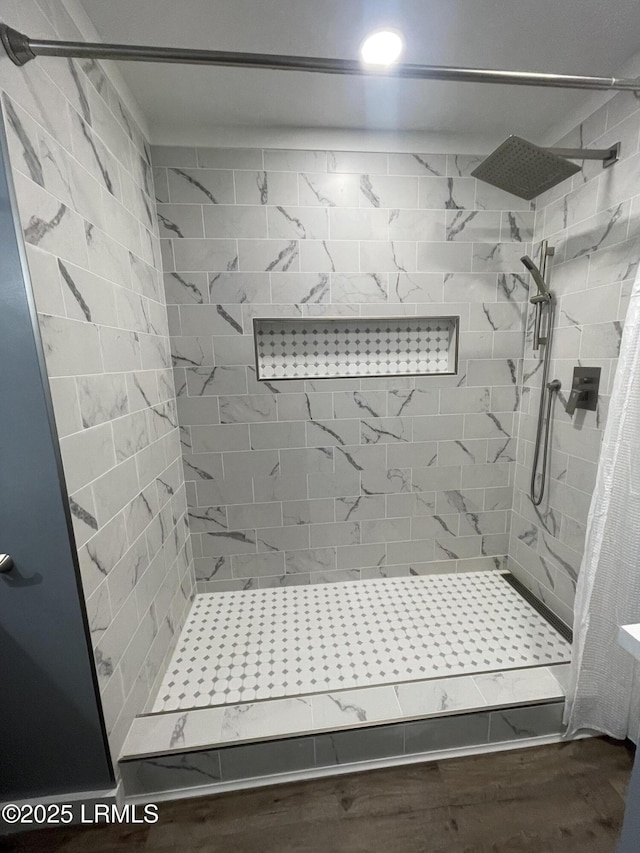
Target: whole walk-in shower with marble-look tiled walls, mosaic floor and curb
x=297, y=569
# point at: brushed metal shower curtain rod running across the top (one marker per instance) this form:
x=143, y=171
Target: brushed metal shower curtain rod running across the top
x=21, y=49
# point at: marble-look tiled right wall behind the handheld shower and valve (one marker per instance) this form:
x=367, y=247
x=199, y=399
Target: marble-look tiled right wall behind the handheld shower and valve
x=595, y=229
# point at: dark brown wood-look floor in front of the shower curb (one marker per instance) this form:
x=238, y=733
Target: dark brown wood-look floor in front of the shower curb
x=565, y=798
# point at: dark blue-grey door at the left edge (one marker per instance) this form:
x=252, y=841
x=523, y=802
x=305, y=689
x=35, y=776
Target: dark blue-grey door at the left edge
x=52, y=738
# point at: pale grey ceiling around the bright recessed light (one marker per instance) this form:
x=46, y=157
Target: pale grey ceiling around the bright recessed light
x=185, y=103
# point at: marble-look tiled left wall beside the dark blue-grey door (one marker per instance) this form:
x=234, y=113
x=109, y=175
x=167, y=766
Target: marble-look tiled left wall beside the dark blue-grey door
x=85, y=193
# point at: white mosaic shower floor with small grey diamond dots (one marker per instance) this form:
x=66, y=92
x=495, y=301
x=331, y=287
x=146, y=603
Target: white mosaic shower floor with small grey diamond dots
x=271, y=643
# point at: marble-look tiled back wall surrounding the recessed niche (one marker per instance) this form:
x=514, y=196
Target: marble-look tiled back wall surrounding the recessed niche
x=341, y=480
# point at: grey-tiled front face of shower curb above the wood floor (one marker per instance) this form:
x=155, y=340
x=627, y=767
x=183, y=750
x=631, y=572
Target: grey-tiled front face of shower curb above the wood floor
x=188, y=772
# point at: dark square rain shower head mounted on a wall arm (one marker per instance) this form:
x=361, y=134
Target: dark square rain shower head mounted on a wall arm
x=524, y=169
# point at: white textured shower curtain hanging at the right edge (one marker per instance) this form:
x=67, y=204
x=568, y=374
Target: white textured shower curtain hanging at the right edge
x=605, y=687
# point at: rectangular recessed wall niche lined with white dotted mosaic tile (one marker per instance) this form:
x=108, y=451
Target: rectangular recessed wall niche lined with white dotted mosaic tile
x=319, y=348
